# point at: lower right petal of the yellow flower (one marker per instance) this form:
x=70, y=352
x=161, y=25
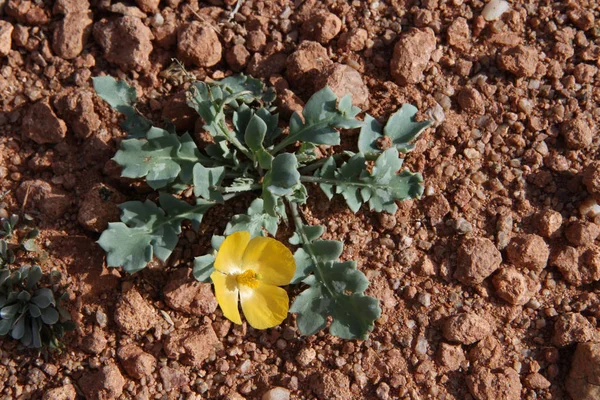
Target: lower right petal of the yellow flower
x=265, y=306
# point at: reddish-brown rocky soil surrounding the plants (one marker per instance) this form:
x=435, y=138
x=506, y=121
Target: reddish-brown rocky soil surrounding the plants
x=488, y=284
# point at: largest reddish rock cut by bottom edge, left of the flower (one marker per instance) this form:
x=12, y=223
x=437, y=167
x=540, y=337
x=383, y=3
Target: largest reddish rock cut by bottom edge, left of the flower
x=104, y=384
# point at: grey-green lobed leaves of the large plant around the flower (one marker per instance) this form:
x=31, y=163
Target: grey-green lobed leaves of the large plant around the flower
x=250, y=154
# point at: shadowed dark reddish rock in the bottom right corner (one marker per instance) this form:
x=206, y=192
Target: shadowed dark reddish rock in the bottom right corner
x=583, y=382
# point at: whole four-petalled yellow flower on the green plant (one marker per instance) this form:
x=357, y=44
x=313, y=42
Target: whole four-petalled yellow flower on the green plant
x=252, y=270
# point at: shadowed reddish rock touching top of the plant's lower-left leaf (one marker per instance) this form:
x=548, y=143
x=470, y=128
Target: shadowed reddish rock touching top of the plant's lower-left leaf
x=99, y=207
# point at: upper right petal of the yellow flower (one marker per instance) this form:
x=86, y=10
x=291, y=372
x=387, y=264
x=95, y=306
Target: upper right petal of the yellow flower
x=272, y=260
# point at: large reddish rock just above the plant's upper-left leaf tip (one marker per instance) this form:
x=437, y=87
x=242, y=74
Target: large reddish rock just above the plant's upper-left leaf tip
x=126, y=42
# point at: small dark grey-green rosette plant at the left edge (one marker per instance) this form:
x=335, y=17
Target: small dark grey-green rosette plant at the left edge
x=30, y=313
